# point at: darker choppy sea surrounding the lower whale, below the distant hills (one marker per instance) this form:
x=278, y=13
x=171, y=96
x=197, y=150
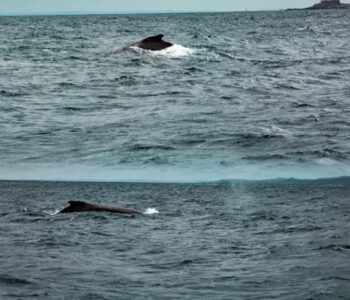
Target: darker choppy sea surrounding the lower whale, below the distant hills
x=209, y=241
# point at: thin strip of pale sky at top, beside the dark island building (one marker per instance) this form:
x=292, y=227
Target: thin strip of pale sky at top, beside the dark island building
x=115, y=6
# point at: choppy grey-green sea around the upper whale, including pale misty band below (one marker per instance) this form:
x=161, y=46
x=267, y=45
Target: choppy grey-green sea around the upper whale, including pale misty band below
x=243, y=96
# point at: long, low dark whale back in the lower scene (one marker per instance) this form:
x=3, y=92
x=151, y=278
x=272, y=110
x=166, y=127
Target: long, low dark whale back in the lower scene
x=80, y=206
